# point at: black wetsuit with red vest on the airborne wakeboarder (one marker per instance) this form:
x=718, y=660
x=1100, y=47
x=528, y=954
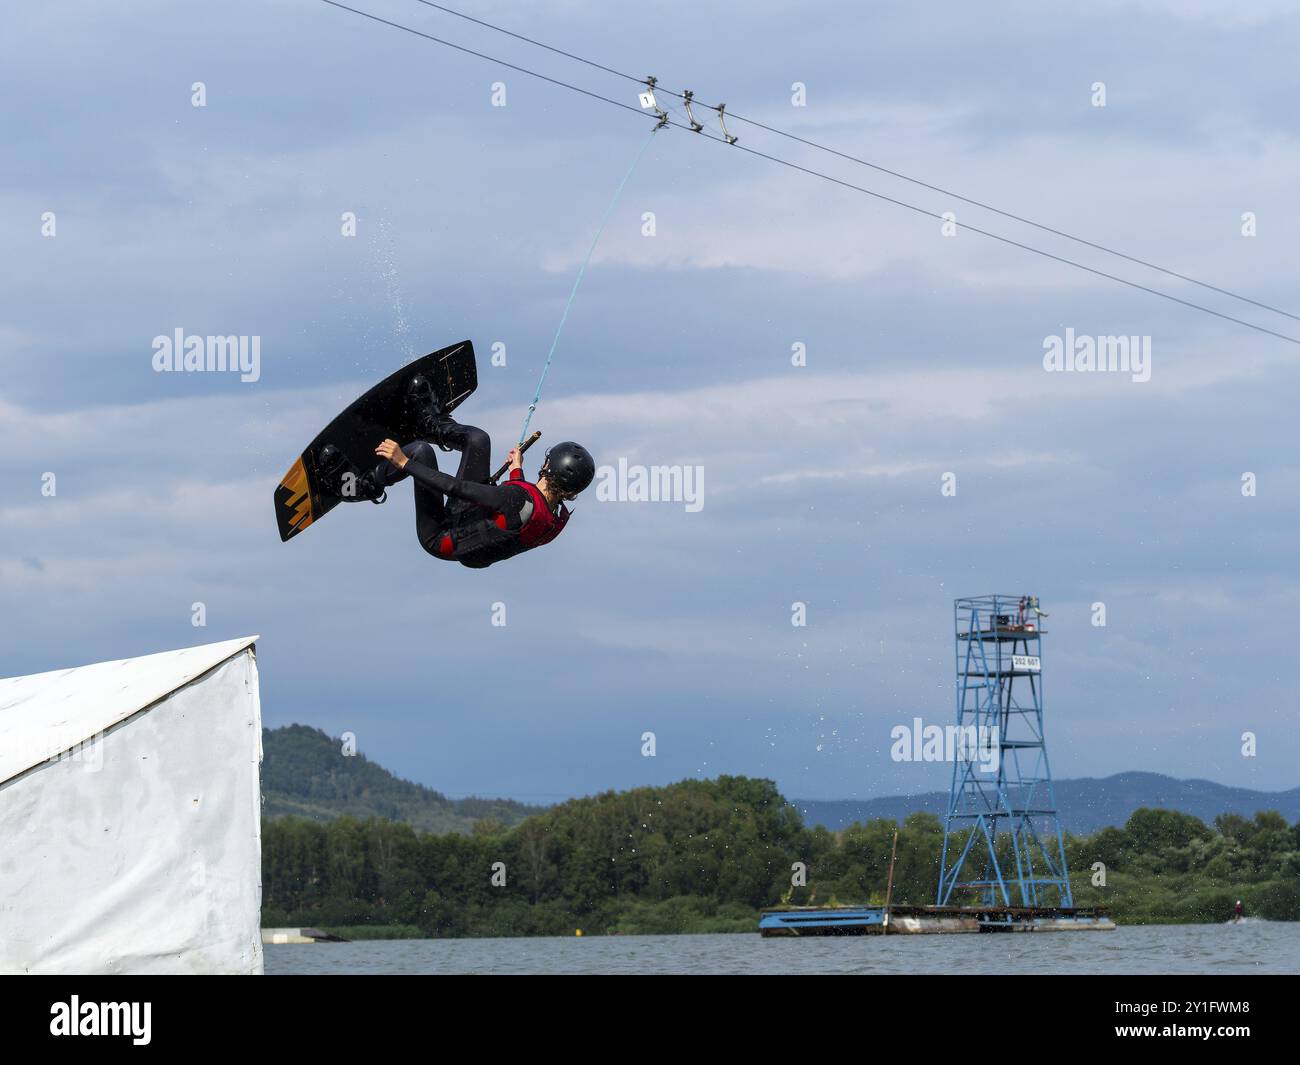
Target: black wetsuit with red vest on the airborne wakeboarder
x=462, y=517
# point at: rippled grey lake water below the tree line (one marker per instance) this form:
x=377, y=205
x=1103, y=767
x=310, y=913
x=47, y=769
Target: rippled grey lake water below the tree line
x=1250, y=947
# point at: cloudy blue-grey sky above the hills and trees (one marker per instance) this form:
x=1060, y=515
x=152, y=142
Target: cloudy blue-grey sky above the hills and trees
x=822, y=482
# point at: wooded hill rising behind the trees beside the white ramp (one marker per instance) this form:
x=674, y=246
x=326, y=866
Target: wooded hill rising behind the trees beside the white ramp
x=304, y=774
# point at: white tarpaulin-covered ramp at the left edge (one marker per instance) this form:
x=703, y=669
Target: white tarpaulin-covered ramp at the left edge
x=131, y=816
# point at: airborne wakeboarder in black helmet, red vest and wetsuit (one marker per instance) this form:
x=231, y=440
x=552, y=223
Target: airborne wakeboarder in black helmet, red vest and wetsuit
x=463, y=518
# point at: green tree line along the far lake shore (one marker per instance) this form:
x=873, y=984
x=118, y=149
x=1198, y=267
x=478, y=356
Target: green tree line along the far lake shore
x=705, y=856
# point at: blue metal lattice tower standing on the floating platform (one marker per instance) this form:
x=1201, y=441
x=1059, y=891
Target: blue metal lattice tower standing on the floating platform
x=1002, y=837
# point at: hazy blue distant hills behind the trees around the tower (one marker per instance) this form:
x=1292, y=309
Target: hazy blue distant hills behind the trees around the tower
x=1086, y=806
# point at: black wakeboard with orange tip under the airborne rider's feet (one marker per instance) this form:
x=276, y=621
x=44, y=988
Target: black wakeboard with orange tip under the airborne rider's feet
x=301, y=500
